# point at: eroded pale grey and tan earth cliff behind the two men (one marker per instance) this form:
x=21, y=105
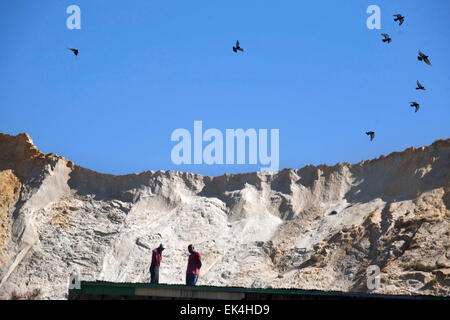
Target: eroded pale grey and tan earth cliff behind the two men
x=313, y=228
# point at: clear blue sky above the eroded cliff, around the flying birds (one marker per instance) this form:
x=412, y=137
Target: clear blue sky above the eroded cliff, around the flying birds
x=312, y=69
